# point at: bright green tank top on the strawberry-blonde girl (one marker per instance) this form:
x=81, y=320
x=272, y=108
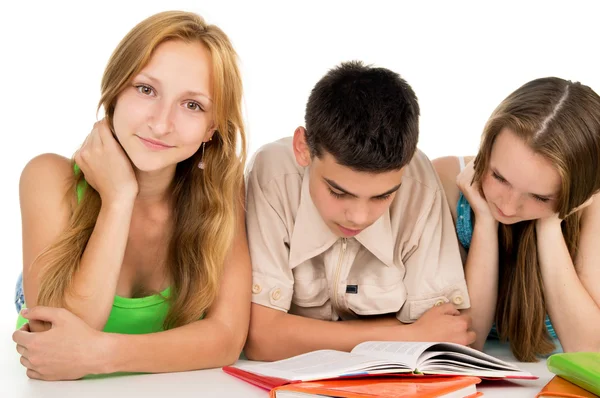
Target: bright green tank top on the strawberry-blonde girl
x=130, y=315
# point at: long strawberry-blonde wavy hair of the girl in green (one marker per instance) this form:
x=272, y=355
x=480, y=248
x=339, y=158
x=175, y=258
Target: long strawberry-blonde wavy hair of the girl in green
x=205, y=202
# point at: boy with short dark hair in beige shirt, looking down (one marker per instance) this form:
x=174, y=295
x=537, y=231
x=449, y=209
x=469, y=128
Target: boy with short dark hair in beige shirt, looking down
x=348, y=221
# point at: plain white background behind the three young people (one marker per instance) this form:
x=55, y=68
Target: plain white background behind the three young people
x=462, y=58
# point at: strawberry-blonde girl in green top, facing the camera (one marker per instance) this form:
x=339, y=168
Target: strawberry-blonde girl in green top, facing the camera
x=142, y=233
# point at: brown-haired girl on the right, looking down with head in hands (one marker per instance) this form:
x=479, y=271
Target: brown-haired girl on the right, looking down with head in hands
x=527, y=215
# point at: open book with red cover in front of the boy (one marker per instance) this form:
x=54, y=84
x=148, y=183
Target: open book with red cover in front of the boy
x=379, y=358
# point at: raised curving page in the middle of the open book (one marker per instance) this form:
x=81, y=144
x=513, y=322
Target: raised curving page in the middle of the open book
x=405, y=352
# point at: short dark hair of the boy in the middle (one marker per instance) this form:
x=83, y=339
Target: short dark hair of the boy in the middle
x=367, y=118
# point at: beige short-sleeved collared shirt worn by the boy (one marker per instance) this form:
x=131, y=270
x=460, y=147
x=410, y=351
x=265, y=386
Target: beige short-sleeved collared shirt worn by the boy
x=405, y=263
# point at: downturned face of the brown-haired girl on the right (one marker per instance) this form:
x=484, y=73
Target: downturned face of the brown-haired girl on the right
x=519, y=184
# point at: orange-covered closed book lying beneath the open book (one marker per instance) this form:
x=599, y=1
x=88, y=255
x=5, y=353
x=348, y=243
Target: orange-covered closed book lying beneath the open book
x=422, y=387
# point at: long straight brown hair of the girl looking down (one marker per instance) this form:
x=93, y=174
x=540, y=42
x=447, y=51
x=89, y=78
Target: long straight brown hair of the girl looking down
x=559, y=120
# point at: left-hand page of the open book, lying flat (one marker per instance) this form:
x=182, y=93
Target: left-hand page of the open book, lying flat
x=317, y=365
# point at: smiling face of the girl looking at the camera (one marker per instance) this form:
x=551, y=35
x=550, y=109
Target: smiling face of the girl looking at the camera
x=165, y=114
